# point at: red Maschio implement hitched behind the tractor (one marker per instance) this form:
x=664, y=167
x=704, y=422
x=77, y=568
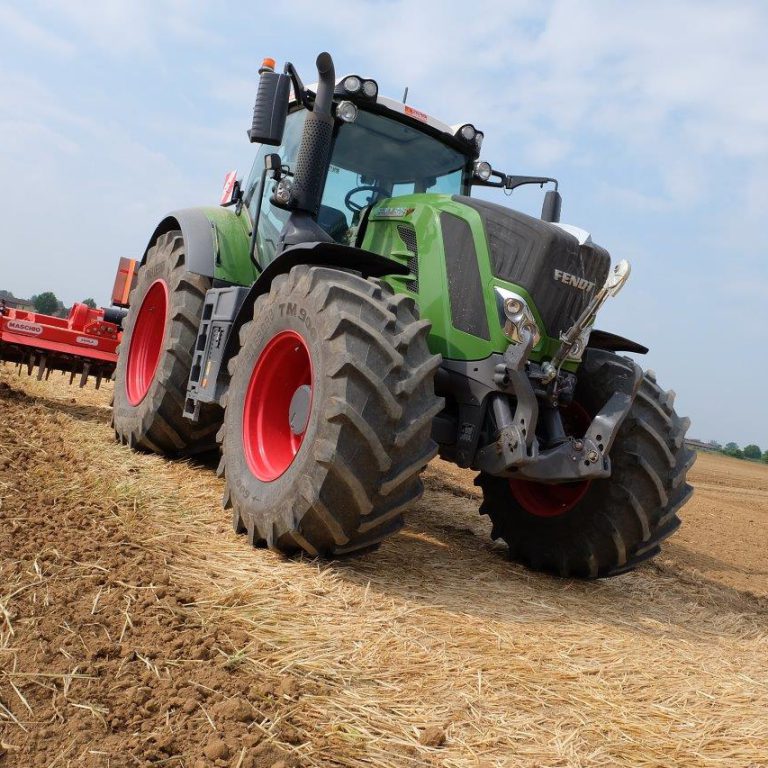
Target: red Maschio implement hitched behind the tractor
x=85, y=342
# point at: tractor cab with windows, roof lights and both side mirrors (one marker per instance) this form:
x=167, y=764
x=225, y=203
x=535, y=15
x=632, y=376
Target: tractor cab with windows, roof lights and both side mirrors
x=378, y=149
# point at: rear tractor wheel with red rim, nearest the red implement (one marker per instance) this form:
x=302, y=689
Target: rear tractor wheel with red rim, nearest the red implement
x=155, y=357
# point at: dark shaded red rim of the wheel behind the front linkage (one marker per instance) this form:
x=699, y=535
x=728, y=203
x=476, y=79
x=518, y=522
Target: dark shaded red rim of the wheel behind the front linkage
x=553, y=500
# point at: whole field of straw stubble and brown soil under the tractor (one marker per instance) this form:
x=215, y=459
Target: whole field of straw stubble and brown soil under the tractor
x=137, y=629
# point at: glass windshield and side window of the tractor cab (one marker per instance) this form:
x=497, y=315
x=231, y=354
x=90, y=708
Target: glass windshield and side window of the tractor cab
x=374, y=157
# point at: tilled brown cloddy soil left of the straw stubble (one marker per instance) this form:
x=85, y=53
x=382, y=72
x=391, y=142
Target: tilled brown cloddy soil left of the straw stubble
x=104, y=661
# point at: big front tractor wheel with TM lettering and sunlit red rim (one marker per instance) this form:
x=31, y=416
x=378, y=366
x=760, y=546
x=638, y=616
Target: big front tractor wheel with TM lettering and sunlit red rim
x=327, y=421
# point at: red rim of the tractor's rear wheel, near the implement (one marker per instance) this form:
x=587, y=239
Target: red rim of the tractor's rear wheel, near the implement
x=146, y=342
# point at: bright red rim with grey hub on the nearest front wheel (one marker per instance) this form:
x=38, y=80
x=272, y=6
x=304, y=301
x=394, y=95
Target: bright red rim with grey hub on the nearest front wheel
x=284, y=367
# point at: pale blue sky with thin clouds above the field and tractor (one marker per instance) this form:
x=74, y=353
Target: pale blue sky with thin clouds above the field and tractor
x=653, y=115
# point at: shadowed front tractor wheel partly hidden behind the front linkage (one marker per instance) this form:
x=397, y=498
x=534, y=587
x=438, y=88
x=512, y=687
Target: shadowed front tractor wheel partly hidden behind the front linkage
x=607, y=526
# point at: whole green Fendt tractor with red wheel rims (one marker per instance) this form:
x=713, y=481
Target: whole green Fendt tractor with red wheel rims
x=351, y=311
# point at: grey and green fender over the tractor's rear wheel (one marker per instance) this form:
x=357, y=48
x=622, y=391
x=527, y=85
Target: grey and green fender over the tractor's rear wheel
x=216, y=243
